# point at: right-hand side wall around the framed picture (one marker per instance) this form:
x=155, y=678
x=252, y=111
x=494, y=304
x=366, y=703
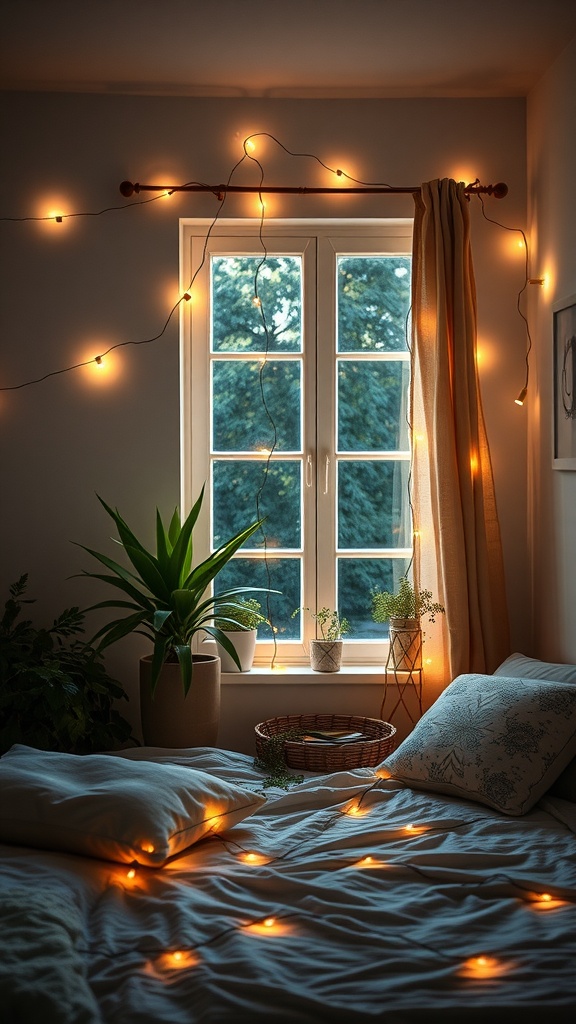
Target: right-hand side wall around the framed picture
x=552, y=162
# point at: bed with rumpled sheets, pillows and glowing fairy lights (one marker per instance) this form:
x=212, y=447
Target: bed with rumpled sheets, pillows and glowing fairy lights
x=400, y=893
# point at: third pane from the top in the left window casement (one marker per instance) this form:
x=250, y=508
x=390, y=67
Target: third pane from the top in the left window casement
x=236, y=485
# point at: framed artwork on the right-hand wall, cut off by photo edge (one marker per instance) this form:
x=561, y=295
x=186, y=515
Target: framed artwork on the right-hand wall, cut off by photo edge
x=564, y=314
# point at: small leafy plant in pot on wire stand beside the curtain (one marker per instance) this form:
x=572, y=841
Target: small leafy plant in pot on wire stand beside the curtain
x=404, y=611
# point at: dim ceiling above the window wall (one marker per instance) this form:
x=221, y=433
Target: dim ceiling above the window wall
x=283, y=49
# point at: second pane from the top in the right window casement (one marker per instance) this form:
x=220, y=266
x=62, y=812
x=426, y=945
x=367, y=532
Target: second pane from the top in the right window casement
x=374, y=406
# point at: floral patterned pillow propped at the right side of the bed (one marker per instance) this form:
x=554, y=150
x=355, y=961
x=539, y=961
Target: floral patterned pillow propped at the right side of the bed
x=498, y=741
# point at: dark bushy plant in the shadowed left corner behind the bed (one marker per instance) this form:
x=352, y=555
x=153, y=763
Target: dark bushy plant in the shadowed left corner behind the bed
x=55, y=692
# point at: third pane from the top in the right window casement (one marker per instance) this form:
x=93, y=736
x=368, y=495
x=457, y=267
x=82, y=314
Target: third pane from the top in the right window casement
x=374, y=505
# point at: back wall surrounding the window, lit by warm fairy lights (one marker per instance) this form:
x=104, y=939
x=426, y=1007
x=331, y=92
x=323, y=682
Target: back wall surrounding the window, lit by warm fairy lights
x=72, y=290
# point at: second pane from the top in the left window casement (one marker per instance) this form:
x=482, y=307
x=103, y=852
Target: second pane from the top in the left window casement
x=241, y=420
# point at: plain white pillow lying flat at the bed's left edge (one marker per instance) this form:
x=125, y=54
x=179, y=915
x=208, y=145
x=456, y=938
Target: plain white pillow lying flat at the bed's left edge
x=113, y=808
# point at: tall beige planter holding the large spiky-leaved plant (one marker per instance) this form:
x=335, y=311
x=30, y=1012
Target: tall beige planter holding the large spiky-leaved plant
x=170, y=719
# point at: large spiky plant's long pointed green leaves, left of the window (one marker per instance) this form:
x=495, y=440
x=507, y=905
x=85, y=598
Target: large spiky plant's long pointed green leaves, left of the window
x=166, y=594
